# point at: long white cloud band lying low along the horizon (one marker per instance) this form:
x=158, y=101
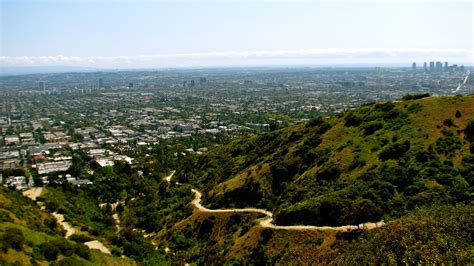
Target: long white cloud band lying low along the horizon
x=303, y=56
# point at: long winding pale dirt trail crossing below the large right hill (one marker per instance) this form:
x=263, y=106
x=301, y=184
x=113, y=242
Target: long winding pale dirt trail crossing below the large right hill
x=267, y=223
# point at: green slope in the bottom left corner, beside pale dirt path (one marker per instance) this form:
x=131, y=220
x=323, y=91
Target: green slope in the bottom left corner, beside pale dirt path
x=30, y=236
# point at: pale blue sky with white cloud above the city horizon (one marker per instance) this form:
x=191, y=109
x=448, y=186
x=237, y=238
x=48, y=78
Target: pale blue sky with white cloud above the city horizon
x=156, y=34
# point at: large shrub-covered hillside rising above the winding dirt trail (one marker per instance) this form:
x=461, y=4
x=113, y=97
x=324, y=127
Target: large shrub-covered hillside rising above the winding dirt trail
x=379, y=160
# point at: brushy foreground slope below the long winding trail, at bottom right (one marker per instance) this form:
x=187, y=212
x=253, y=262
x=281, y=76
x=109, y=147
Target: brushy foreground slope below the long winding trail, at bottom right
x=434, y=235
